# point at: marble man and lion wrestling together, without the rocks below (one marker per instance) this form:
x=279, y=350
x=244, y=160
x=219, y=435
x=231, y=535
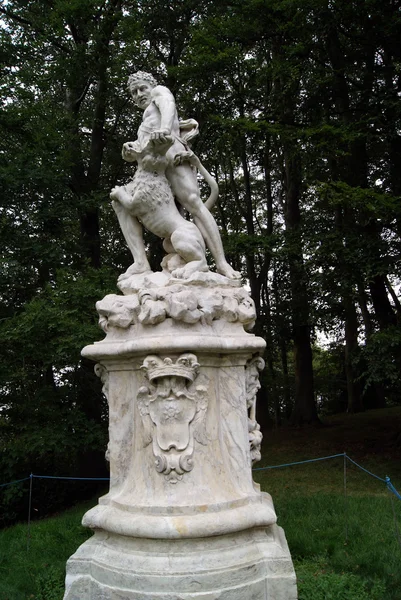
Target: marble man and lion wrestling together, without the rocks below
x=166, y=169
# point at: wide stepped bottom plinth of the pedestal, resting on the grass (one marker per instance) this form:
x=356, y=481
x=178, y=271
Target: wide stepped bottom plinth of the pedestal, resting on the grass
x=248, y=565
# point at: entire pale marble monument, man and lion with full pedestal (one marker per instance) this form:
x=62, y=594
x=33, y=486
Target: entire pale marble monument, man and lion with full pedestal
x=183, y=518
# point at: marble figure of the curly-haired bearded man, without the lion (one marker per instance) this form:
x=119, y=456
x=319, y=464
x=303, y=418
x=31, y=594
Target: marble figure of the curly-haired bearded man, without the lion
x=160, y=129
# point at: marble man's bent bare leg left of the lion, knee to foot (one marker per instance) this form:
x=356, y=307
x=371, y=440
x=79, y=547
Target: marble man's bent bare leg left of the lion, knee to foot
x=132, y=232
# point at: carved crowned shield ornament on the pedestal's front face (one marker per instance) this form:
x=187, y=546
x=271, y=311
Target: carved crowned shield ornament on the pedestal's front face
x=173, y=411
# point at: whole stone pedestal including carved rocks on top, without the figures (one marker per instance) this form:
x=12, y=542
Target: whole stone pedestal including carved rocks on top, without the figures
x=183, y=518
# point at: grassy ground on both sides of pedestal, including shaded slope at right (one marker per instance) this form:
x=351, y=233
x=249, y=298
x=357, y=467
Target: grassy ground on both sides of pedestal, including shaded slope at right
x=343, y=548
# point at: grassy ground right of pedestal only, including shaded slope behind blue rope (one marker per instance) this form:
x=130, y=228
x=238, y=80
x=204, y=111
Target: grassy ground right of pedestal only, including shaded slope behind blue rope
x=332, y=539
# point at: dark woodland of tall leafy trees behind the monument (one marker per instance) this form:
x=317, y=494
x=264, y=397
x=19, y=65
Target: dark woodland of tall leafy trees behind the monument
x=300, y=117
